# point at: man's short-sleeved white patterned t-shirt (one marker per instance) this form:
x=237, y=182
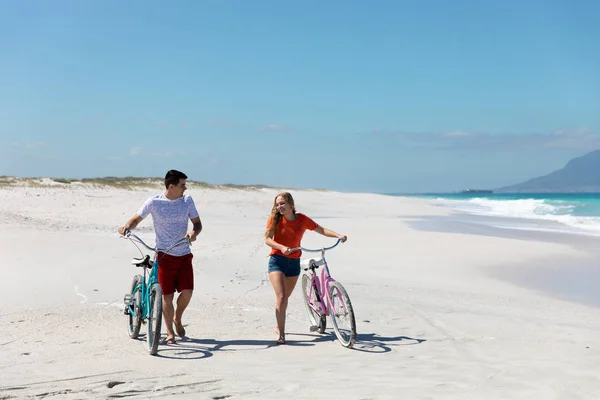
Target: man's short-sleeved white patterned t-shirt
x=170, y=218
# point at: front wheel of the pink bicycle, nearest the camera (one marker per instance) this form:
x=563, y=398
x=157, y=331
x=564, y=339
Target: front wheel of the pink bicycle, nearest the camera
x=342, y=315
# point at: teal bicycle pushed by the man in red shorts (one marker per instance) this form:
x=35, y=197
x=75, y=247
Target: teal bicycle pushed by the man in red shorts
x=143, y=302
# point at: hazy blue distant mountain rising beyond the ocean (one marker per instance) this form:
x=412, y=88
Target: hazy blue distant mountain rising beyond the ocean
x=580, y=175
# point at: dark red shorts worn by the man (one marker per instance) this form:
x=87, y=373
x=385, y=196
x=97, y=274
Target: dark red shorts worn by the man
x=175, y=273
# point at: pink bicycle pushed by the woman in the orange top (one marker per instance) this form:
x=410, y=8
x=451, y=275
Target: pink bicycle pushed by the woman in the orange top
x=323, y=296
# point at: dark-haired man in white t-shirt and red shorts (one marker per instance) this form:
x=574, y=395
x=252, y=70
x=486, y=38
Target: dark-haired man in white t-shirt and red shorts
x=170, y=213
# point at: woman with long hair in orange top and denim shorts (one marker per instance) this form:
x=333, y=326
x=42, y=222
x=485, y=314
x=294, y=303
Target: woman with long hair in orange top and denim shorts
x=285, y=229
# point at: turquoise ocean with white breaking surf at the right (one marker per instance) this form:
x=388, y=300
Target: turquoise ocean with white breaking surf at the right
x=575, y=213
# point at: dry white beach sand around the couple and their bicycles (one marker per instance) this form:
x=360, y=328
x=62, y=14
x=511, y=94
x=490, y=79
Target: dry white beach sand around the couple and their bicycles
x=432, y=322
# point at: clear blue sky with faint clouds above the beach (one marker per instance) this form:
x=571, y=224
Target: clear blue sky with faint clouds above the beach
x=379, y=96
